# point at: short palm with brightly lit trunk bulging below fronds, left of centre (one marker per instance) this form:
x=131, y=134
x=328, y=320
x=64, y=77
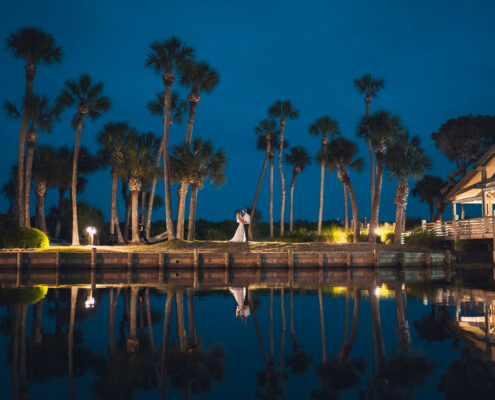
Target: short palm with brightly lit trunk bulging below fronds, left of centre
x=138, y=161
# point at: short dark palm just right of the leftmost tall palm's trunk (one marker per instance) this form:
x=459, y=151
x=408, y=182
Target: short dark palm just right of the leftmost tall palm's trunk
x=44, y=157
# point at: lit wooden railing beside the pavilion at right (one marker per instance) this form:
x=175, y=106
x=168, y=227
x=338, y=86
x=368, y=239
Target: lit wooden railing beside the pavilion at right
x=472, y=228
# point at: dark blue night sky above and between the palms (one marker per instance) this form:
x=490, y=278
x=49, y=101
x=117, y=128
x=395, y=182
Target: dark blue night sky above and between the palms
x=437, y=59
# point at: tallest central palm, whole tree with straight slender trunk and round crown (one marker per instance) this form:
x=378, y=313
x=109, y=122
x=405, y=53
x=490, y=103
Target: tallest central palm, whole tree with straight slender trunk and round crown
x=167, y=57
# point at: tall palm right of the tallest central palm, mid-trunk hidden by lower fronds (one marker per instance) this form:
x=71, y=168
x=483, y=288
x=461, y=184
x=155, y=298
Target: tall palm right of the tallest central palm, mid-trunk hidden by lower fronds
x=200, y=77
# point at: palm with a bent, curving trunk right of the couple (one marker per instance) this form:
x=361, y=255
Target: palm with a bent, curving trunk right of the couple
x=341, y=155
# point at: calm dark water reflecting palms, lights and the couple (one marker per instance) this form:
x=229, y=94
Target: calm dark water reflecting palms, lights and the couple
x=342, y=334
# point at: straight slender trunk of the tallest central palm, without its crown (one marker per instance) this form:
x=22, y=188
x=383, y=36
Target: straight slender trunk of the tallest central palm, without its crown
x=167, y=106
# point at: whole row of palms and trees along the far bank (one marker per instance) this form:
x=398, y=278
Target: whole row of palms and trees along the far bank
x=138, y=159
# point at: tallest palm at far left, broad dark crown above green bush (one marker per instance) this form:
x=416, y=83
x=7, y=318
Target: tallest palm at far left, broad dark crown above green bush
x=35, y=47
